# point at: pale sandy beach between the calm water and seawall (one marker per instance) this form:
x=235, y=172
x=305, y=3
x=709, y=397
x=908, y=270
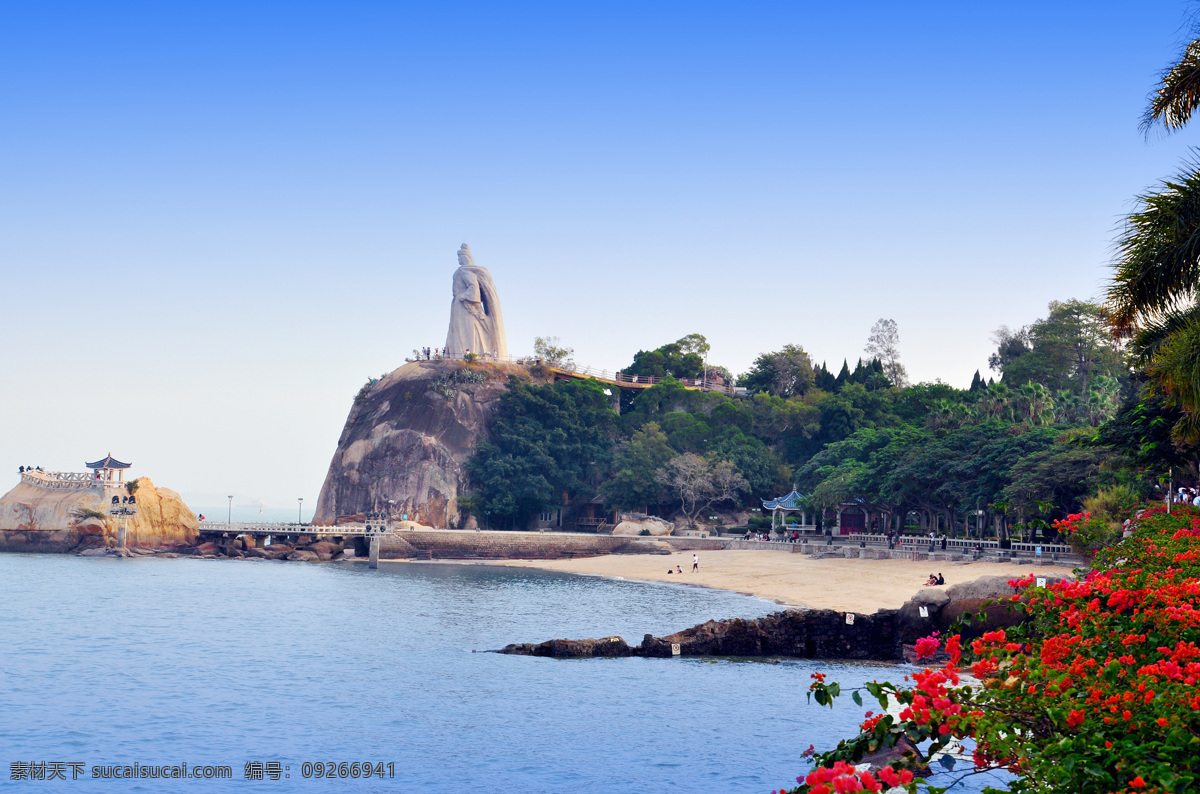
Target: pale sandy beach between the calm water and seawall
x=788, y=579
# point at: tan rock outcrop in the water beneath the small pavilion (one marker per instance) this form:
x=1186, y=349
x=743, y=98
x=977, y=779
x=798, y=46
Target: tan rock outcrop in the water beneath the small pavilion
x=34, y=519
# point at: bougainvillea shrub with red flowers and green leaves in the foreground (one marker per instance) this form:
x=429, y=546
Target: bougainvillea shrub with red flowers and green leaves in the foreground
x=1095, y=694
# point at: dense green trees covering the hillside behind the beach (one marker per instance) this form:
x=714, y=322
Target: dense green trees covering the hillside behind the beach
x=1065, y=422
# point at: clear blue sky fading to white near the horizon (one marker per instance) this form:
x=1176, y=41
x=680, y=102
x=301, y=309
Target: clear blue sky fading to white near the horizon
x=218, y=220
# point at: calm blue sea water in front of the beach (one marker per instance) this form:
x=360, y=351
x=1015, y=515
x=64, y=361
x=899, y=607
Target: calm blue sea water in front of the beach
x=285, y=670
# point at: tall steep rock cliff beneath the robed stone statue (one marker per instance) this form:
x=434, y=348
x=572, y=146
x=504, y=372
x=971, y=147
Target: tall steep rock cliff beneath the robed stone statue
x=409, y=438
